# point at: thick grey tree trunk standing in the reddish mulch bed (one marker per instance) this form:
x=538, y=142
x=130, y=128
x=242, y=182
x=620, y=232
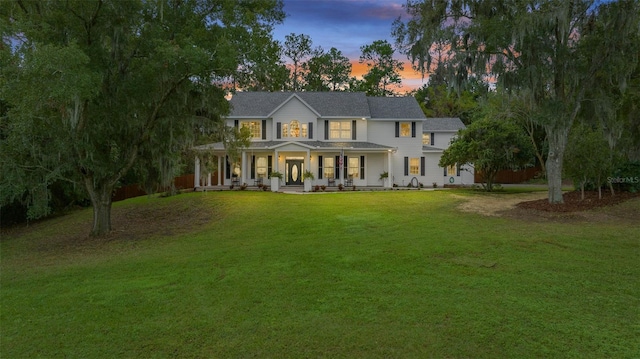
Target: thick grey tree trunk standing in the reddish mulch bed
x=557, y=137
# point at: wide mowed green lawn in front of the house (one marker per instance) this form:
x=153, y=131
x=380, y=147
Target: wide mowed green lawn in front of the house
x=399, y=274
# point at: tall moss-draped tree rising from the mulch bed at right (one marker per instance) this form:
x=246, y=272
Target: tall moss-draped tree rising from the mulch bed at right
x=551, y=51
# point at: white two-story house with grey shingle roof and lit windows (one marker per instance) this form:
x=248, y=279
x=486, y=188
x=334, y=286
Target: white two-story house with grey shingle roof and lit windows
x=341, y=137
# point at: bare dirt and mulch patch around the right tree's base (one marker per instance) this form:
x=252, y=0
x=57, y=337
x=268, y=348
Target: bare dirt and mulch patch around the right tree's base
x=623, y=206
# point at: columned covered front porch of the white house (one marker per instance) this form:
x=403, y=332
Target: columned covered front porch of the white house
x=332, y=164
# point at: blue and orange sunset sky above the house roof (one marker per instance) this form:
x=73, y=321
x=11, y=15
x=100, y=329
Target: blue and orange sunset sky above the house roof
x=347, y=25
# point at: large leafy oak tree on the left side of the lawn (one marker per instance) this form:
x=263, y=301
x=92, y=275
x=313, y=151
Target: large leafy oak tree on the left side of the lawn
x=93, y=85
